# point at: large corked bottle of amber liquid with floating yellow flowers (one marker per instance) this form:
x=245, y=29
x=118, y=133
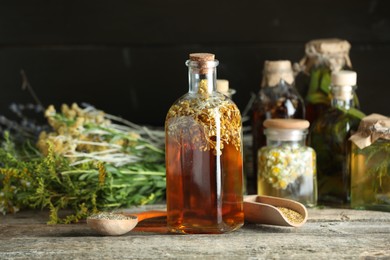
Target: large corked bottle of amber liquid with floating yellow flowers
x=204, y=161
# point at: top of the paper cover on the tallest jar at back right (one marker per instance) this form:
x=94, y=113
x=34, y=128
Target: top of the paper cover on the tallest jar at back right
x=328, y=46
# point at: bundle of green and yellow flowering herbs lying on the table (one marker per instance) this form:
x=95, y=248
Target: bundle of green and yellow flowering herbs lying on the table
x=89, y=161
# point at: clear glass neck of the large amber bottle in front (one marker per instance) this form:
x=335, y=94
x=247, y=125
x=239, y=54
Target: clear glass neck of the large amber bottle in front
x=202, y=76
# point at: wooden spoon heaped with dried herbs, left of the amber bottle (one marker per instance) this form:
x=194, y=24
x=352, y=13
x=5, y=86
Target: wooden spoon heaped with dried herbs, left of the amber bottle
x=122, y=223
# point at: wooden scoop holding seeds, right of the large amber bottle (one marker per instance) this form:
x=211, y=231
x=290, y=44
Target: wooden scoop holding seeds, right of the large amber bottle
x=264, y=210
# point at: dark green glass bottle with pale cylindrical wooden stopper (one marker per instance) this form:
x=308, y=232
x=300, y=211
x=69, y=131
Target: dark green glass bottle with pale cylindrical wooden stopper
x=329, y=137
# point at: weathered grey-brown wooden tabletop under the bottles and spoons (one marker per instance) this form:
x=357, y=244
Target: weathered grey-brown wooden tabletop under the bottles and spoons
x=328, y=234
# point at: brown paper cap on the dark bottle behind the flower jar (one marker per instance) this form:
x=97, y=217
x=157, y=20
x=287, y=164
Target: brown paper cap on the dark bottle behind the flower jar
x=275, y=71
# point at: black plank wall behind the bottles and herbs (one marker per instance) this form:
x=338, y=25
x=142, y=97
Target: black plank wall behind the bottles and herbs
x=127, y=57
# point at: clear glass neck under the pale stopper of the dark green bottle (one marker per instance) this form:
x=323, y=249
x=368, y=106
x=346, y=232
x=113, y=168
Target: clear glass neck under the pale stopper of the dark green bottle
x=343, y=96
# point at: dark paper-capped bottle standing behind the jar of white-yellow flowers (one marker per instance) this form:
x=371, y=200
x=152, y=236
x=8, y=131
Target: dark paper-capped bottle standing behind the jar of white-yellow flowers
x=277, y=98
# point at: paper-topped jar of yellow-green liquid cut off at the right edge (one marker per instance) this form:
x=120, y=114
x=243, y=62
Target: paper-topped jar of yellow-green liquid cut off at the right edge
x=370, y=164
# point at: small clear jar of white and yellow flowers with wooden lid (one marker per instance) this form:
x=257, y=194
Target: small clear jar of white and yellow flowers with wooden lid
x=287, y=167
